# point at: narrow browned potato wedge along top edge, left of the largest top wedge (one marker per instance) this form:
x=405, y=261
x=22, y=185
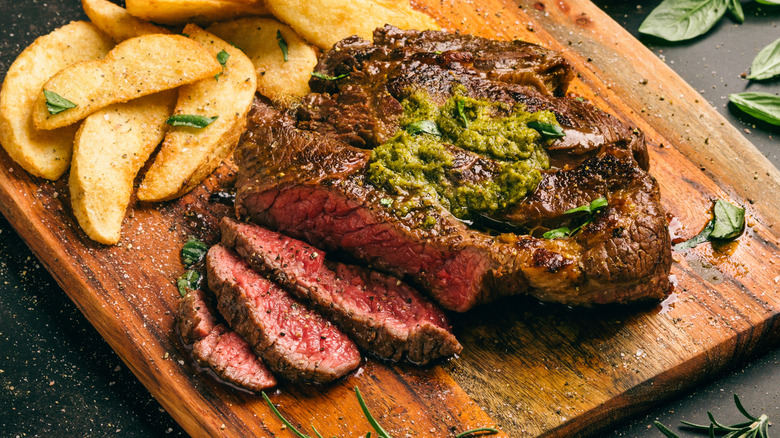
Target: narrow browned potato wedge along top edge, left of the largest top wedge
x=194, y=11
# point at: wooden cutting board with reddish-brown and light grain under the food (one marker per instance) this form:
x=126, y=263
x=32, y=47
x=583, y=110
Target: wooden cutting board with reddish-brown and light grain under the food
x=528, y=368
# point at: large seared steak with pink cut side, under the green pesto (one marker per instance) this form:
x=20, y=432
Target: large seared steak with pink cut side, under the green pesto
x=305, y=175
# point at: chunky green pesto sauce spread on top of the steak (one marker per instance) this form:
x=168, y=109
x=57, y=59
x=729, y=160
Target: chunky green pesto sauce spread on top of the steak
x=418, y=166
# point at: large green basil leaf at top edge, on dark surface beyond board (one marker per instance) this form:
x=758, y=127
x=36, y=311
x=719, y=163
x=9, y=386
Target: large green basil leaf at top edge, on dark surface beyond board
x=678, y=20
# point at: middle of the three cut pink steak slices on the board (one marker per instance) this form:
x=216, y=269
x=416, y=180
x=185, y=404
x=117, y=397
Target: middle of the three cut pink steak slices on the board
x=295, y=342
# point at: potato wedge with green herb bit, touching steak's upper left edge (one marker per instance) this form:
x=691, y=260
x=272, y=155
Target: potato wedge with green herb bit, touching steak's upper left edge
x=277, y=79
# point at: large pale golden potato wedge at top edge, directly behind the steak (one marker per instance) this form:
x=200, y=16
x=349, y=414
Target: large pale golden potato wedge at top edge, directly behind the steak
x=325, y=22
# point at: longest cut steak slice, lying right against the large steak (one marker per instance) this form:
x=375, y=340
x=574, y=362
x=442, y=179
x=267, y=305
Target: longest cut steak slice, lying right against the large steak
x=382, y=314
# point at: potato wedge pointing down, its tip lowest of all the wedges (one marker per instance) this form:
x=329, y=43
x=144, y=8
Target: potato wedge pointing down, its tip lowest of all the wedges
x=111, y=146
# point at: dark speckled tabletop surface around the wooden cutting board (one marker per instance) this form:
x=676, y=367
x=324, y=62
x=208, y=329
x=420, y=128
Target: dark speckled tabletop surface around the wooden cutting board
x=58, y=377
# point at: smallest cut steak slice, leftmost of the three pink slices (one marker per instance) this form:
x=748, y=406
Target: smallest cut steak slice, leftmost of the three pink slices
x=219, y=348
